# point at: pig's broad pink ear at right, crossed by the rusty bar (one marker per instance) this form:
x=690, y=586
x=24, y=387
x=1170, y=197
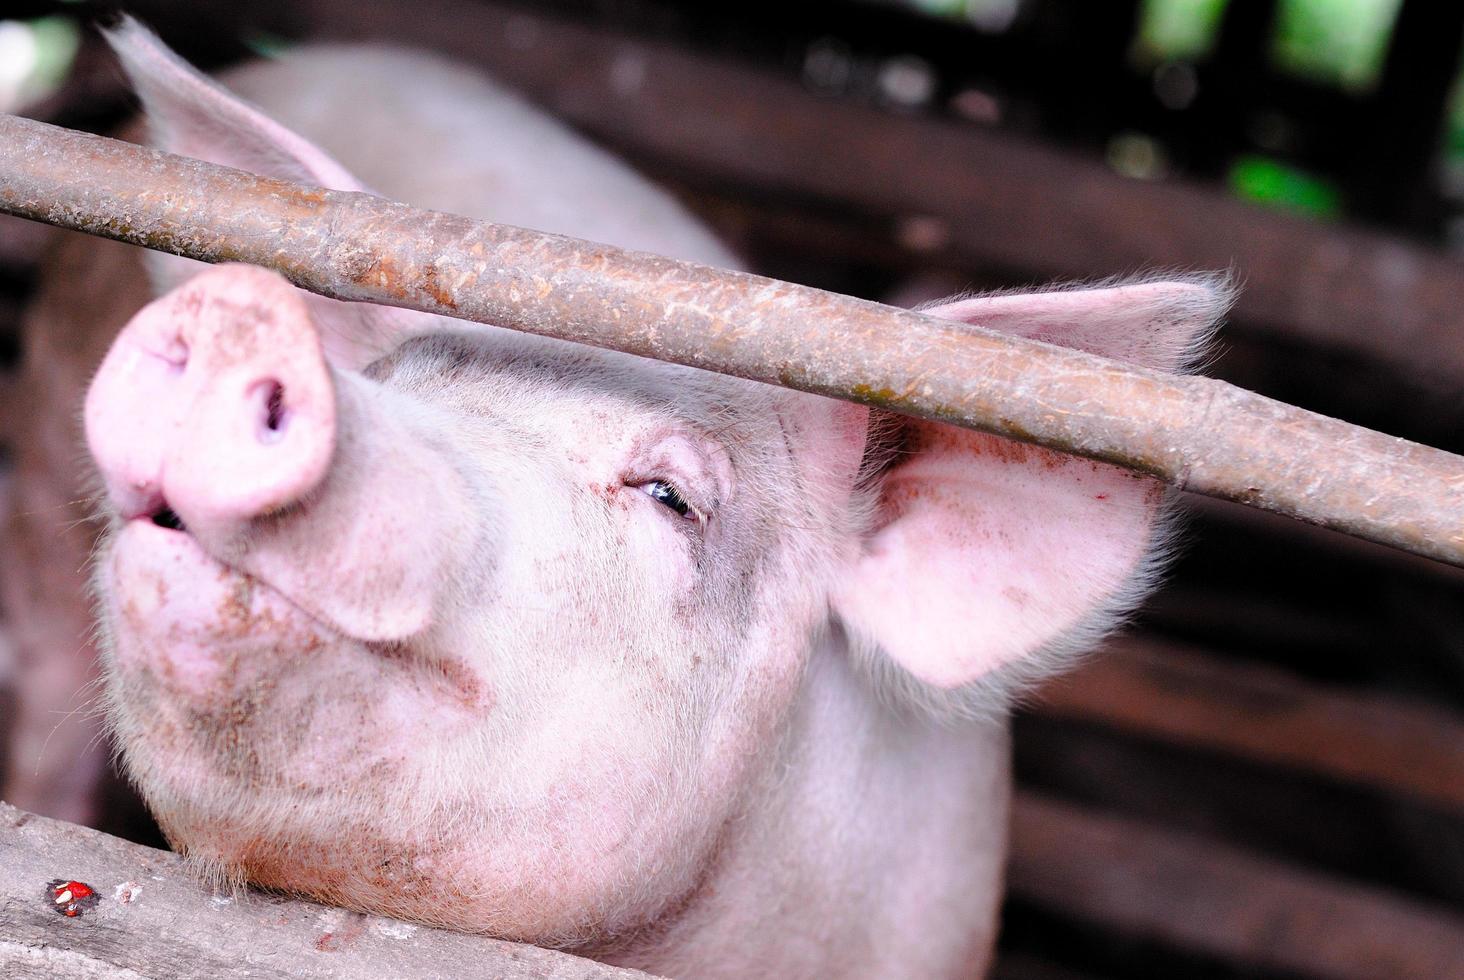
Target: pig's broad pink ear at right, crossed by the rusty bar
x=989, y=560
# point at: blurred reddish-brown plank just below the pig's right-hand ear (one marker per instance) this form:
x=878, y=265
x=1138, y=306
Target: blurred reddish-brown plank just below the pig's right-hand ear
x=1257, y=713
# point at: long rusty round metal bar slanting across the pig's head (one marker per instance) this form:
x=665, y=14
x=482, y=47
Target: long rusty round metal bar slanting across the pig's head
x=1197, y=434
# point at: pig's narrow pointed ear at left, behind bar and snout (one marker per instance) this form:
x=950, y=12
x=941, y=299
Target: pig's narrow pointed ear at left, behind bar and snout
x=193, y=115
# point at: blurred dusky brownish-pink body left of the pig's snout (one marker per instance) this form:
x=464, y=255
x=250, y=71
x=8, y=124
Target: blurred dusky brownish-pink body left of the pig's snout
x=56, y=748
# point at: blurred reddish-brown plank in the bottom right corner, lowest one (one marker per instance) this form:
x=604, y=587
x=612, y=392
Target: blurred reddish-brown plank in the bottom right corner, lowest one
x=1200, y=894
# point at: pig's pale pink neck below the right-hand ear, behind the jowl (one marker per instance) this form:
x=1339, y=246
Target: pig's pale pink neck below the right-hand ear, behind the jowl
x=873, y=846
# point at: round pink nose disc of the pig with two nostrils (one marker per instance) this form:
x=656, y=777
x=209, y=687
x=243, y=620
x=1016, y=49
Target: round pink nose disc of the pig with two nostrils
x=214, y=404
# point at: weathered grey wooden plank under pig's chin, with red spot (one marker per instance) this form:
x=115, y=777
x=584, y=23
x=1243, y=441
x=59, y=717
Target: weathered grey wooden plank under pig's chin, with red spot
x=157, y=921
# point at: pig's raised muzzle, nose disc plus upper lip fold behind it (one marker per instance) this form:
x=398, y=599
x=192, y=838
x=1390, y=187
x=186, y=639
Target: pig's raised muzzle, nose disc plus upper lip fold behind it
x=217, y=414
